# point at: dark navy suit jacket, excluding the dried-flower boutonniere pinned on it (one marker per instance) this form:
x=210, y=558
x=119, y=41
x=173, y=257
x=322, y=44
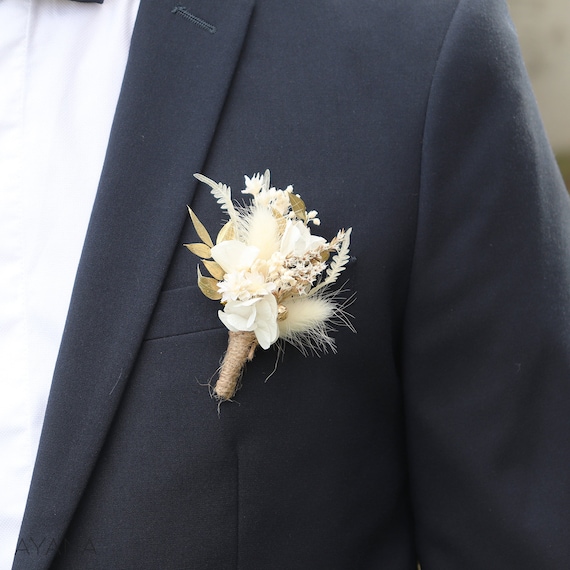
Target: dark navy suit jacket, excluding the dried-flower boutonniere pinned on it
x=439, y=432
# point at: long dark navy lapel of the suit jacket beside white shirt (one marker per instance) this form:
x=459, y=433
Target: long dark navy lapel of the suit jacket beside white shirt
x=176, y=80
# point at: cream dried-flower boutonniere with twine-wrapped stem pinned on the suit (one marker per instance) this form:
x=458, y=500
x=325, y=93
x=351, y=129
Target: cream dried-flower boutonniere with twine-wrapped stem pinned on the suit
x=271, y=274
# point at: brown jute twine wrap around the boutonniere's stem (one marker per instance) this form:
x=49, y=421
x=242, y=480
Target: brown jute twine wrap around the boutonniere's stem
x=241, y=349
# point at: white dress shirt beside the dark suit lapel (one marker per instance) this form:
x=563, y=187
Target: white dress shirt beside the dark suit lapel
x=61, y=68
